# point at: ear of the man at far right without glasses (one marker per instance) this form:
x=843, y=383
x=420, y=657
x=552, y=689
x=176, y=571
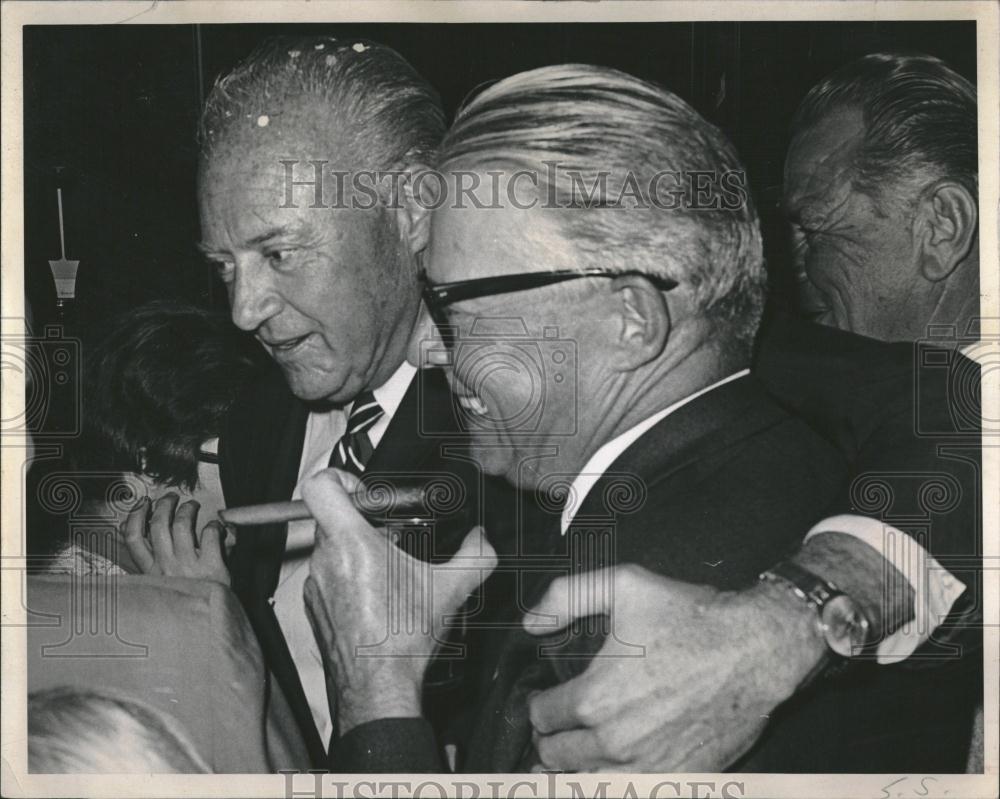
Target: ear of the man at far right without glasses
x=947, y=220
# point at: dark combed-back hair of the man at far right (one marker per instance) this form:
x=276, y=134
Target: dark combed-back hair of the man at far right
x=919, y=115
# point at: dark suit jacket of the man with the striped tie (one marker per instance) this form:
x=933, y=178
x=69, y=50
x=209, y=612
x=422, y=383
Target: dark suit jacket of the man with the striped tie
x=260, y=449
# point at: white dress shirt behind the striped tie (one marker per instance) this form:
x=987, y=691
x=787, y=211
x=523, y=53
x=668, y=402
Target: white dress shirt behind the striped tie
x=323, y=431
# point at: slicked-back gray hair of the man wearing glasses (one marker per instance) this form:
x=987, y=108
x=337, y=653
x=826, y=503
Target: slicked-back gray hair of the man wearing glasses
x=593, y=121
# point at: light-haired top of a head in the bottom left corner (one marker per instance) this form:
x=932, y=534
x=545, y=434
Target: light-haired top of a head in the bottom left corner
x=86, y=731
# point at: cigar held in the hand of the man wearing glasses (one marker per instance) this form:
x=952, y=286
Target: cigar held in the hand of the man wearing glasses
x=402, y=503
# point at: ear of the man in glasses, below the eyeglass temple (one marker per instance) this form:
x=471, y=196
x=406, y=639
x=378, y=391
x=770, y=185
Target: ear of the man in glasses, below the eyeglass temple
x=645, y=320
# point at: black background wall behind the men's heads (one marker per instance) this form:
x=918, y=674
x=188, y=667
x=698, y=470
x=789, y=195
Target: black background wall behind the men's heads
x=110, y=116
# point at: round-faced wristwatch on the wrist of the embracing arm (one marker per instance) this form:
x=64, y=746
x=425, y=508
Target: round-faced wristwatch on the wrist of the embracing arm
x=839, y=618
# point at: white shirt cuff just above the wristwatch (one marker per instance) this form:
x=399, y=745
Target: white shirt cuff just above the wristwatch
x=935, y=589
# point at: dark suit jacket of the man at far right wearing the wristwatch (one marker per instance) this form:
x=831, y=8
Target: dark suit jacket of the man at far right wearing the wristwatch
x=907, y=418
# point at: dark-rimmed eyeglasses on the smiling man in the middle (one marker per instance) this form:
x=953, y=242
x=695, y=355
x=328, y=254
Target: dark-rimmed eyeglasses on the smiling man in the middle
x=439, y=296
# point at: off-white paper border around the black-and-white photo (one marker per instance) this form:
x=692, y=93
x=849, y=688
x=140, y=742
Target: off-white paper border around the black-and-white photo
x=15, y=780
